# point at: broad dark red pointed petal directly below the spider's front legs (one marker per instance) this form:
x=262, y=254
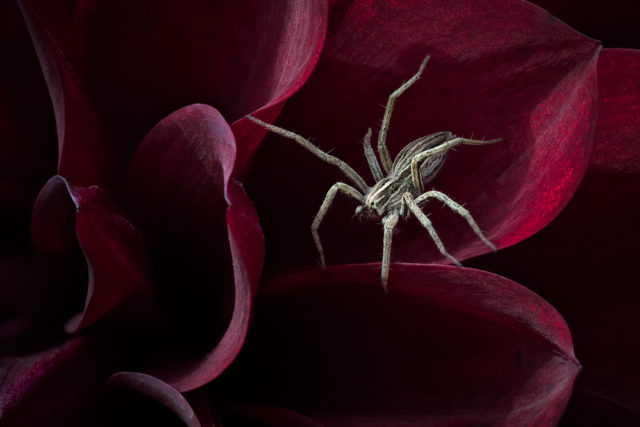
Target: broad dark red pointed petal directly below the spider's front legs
x=445, y=346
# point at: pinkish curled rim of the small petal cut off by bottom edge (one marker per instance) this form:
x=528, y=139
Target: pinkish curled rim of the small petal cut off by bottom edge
x=159, y=391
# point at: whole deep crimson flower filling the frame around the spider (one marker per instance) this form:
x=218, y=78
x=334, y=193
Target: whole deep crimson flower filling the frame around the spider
x=146, y=202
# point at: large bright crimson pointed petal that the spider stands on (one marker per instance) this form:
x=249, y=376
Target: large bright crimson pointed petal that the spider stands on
x=519, y=74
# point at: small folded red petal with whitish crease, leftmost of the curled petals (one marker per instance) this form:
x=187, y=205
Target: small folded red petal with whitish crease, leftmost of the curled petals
x=113, y=248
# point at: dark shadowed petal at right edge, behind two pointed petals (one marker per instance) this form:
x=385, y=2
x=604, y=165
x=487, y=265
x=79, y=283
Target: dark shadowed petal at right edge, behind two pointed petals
x=584, y=262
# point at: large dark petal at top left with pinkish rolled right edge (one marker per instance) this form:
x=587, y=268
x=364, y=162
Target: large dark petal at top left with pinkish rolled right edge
x=140, y=61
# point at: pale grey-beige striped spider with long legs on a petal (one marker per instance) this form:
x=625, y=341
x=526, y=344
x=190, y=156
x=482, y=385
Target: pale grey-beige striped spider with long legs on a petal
x=400, y=189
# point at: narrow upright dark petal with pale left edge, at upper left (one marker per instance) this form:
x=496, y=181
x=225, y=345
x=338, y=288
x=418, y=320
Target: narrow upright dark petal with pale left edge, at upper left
x=86, y=153
